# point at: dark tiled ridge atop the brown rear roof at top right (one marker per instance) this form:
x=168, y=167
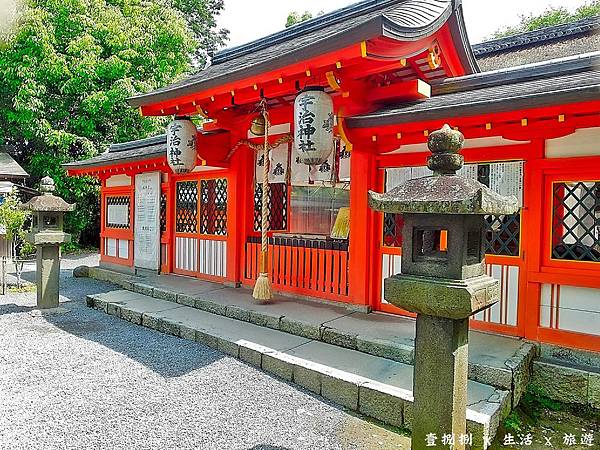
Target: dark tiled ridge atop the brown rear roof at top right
x=542, y=36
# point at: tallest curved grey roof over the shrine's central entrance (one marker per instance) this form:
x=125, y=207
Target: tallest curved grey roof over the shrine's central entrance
x=402, y=19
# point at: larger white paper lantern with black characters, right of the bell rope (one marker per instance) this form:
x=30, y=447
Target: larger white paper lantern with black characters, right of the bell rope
x=313, y=124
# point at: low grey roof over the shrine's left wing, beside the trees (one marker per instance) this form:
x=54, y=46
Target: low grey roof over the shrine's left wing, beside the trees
x=140, y=150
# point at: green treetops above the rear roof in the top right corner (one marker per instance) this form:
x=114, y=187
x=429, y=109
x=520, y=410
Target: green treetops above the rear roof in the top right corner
x=552, y=16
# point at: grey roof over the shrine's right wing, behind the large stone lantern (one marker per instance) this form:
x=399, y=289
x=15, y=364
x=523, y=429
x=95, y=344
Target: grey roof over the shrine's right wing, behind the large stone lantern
x=553, y=82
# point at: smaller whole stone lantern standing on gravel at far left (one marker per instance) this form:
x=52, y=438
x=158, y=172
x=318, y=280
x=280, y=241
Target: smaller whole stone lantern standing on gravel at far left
x=47, y=235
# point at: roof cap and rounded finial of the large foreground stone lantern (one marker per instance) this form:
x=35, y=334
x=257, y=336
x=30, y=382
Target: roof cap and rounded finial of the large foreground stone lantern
x=444, y=192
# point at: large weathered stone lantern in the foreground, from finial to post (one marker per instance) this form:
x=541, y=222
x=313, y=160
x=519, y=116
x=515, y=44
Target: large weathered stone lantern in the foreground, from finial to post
x=443, y=280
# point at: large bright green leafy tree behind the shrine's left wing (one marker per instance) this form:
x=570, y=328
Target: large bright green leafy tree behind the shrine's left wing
x=67, y=69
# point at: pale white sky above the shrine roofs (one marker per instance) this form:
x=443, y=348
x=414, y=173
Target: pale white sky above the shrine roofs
x=248, y=20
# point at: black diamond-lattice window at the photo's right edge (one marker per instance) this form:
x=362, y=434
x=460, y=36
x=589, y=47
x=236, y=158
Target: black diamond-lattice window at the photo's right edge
x=576, y=221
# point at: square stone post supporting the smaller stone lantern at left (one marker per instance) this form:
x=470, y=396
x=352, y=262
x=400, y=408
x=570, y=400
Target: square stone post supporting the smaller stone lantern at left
x=48, y=276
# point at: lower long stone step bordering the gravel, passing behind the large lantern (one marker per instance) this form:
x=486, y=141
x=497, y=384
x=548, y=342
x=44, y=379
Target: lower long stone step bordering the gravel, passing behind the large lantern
x=374, y=386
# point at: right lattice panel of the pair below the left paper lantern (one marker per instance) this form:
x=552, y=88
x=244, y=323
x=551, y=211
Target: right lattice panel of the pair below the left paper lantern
x=213, y=210
